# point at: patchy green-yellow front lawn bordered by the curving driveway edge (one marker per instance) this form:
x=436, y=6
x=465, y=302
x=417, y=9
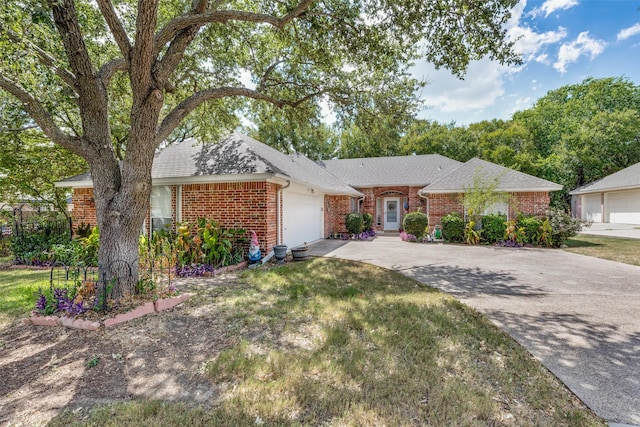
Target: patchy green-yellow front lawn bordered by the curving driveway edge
x=330, y=342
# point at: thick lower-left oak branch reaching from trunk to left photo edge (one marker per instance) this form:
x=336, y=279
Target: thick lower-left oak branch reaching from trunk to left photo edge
x=41, y=116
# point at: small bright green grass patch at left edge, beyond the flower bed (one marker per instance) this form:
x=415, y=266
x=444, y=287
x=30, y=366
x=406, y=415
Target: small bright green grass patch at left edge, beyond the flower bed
x=18, y=288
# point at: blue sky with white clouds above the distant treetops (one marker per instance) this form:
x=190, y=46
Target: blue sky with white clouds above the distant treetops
x=561, y=41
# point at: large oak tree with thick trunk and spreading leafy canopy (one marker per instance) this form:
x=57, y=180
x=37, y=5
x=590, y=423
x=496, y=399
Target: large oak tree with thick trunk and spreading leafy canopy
x=111, y=80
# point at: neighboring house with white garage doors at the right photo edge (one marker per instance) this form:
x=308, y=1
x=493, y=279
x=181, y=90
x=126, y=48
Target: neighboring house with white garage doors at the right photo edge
x=612, y=199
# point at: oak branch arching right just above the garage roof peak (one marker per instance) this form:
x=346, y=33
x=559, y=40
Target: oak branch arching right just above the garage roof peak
x=182, y=110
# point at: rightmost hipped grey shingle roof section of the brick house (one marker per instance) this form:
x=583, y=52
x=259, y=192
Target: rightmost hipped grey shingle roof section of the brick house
x=509, y=180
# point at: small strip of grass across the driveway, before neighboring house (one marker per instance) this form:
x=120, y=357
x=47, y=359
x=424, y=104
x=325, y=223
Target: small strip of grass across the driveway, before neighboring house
x=612, y=248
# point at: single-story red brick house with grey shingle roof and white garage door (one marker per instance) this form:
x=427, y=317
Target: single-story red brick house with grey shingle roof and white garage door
x=290, y=199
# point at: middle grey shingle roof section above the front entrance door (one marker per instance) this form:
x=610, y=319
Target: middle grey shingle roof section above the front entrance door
x=390, y=171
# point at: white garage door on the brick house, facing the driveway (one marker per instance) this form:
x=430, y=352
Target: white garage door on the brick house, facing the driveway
x=302, y=218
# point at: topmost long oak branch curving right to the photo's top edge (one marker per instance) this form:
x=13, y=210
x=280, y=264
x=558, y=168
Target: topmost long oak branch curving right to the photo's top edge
x=169, y=31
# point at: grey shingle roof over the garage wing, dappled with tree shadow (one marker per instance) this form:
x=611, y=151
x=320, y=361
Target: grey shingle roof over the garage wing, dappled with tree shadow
x=235, y=154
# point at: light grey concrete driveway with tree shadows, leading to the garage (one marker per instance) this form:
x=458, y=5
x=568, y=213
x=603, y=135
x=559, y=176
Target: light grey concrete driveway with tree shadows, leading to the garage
x=580, y=316
